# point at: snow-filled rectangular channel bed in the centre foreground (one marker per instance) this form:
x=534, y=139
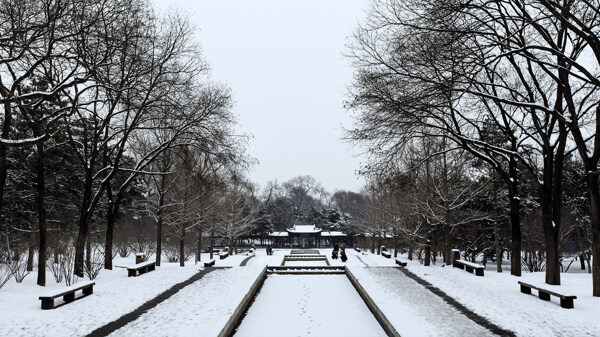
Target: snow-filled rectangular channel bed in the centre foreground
x=308, y=305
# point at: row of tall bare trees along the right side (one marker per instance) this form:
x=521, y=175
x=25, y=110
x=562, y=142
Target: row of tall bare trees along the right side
x=509, y=88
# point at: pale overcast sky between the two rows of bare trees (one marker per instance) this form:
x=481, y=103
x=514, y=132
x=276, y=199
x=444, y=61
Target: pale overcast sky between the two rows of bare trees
x=283, y=61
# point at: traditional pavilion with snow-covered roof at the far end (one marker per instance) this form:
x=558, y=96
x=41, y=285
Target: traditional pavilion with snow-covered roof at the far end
x=306, y=236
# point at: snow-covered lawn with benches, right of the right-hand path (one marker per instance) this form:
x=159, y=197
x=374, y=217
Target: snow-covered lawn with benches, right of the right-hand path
x=497, y=297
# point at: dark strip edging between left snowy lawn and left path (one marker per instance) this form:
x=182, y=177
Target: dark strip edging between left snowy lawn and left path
x=113, y=326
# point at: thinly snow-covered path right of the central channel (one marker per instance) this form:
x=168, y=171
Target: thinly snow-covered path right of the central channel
x=411, y=308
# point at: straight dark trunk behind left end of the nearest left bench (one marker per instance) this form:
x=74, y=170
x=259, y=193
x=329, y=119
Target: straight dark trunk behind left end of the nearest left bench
x=41, y=213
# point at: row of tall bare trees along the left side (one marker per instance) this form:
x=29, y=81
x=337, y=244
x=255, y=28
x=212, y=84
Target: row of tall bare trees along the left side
x=102, y=103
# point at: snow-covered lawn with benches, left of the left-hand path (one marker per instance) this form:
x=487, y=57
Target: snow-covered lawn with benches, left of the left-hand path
x=114, y=295
